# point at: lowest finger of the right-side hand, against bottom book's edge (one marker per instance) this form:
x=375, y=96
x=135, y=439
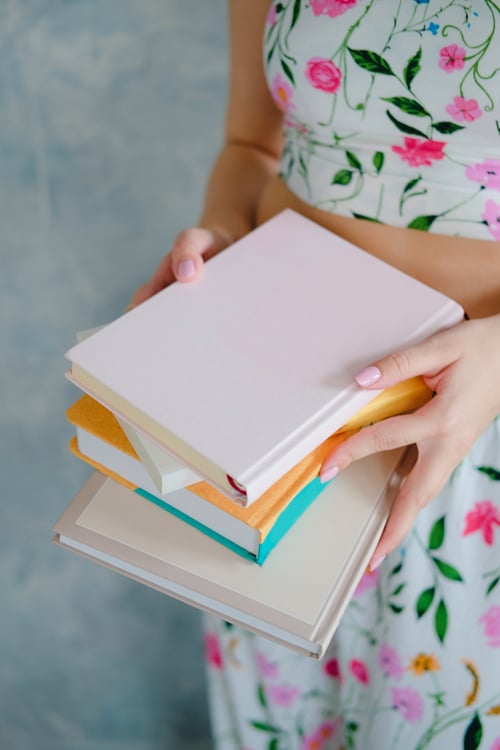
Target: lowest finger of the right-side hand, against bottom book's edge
x=423, y=483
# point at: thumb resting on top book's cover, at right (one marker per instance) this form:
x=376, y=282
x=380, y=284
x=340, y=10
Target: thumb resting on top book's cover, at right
x=426, y=358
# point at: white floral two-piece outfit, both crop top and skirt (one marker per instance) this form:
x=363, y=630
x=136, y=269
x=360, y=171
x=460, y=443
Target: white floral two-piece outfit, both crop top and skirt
x=392, y=114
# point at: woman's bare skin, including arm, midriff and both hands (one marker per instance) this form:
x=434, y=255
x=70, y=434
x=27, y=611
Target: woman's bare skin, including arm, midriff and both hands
x=462, y=364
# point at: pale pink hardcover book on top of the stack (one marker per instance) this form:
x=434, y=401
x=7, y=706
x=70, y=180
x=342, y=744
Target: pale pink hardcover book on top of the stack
x=243, y=373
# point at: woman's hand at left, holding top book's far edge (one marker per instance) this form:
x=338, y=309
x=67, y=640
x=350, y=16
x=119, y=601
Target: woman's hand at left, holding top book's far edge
x=185, y=260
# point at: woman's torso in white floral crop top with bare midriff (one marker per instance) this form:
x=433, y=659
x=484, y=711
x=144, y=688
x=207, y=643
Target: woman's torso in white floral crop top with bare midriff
x=419, y=148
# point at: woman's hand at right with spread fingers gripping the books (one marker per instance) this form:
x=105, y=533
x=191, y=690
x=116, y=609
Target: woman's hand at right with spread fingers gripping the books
x=462, y=366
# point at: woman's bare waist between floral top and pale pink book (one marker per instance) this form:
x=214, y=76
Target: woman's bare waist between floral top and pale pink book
x=468, y=270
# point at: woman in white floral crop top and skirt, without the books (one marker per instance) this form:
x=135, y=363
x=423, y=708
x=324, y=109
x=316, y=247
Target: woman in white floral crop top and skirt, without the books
x=380, y=120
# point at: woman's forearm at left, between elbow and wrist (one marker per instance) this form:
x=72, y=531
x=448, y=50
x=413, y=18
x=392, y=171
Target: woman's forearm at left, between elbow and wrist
x=236, y=182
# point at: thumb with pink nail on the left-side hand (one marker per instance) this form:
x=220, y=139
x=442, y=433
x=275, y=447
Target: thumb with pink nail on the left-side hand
x=191, y=248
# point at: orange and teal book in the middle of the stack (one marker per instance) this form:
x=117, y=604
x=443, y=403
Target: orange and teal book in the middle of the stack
x=251, y=531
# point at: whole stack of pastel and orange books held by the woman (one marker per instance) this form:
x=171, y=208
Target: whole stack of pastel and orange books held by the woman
x=208, y=412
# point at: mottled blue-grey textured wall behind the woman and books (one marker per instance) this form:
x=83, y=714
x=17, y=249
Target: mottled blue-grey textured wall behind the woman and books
x=110, y=114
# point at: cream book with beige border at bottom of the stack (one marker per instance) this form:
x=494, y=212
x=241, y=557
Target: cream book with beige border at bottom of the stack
x=296, y=598
